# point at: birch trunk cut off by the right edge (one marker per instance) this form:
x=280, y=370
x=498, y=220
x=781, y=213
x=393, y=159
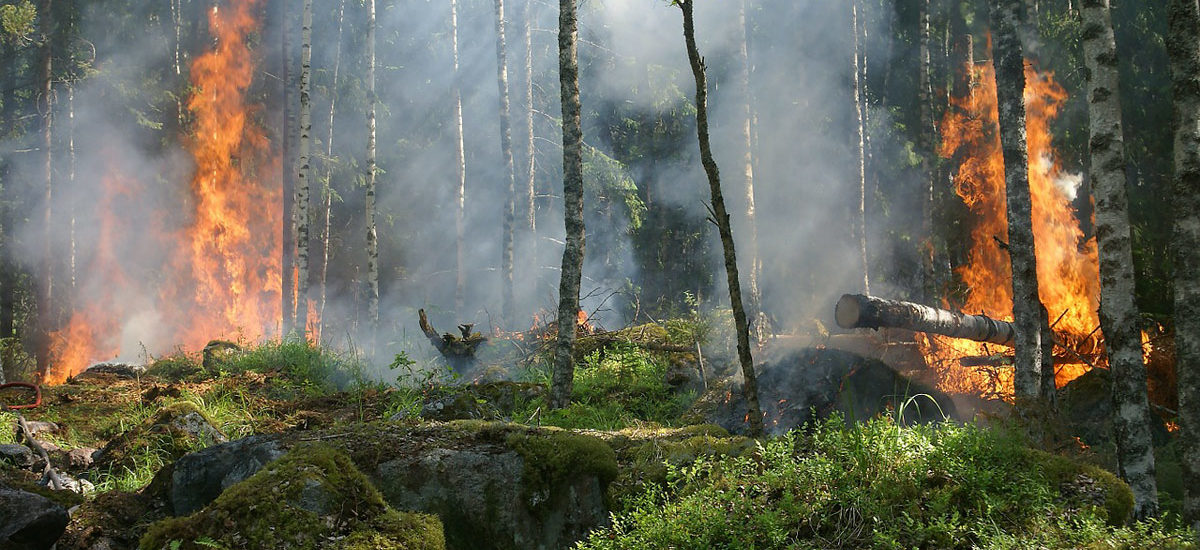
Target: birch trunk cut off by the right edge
x=1185, y=55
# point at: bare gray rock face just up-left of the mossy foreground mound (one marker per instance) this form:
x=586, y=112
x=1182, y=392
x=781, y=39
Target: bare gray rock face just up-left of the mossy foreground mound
x=199, y=479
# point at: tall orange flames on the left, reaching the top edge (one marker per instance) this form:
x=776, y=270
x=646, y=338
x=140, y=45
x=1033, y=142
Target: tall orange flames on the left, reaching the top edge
x=223, y=277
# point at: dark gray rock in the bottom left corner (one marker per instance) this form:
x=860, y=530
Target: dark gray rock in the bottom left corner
x=31, y=522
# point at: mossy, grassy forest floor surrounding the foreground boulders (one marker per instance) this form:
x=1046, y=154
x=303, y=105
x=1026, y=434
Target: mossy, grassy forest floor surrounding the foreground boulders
x=679, y=483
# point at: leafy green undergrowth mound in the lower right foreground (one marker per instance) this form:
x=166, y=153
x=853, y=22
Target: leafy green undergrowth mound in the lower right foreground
x=879, y=486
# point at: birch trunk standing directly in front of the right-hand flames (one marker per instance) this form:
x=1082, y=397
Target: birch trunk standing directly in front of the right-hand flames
x=1028, y=312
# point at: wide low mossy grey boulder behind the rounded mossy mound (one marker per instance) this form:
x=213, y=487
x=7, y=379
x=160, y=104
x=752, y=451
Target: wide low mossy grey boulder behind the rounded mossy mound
x=494, y=486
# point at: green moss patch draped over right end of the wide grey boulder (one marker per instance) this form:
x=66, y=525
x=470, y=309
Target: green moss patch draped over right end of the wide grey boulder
x=553, y=457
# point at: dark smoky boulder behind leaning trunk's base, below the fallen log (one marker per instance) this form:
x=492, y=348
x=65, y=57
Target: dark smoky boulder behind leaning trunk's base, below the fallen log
x=806, y=385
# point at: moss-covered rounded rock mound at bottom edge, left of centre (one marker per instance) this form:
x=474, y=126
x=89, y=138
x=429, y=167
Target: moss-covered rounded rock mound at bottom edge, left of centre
x=313, y=498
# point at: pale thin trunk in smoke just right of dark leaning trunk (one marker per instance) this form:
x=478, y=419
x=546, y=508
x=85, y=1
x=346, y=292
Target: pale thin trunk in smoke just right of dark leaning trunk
x=747, y=121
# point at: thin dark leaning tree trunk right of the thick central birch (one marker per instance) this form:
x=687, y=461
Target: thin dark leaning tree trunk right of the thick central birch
x=723, y=222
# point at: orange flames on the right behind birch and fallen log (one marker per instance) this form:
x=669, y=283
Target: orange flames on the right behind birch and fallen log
x=1069, y=273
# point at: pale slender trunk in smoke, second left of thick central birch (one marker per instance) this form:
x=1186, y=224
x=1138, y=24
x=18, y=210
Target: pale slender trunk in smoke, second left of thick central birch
x=502, y=81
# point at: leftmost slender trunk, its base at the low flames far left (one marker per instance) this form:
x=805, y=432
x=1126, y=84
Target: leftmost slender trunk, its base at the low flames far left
x=46, y=313
